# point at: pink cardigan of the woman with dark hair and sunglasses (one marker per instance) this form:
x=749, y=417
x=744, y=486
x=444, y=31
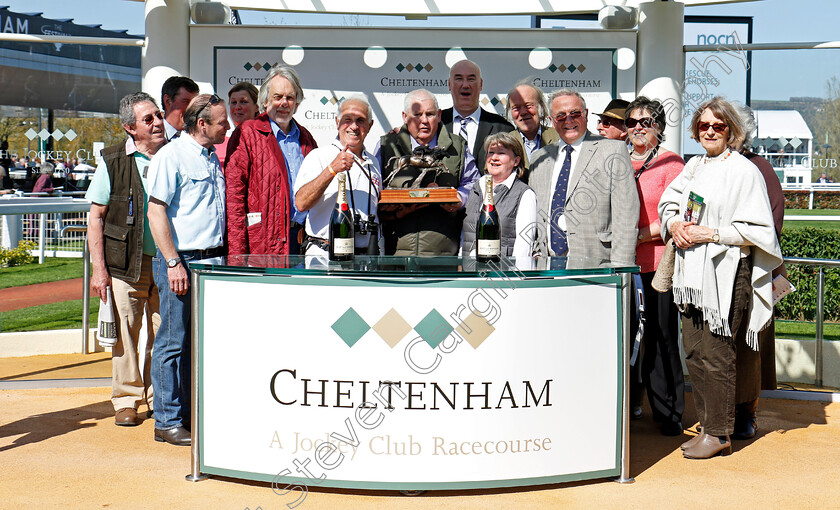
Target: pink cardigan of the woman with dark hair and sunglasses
x=651, y=184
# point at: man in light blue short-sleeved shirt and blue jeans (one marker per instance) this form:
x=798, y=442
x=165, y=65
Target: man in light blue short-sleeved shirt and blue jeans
x=187, y=217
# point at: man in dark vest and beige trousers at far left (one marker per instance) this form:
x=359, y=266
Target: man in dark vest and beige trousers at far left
x=122, y=247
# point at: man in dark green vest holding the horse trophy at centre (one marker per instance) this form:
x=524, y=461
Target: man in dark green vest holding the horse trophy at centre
x=425, y=229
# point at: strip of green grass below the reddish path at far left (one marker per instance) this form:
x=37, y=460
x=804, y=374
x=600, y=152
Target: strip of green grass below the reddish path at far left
x=64, y=315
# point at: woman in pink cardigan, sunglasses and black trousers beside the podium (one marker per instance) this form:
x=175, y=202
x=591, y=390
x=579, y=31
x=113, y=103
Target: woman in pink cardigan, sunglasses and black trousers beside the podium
x=659, y=371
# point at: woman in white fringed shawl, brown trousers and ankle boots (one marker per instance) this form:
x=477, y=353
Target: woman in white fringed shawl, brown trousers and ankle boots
x=727, y=248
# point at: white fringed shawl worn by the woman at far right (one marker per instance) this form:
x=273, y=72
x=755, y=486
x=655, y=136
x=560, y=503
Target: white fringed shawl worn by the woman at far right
x=704, y=275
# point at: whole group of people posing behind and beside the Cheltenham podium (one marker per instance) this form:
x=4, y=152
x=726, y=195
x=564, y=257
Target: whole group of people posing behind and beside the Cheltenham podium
x=560, y=190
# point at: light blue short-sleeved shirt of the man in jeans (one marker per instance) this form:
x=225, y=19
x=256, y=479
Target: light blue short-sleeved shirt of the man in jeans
x=188, y=178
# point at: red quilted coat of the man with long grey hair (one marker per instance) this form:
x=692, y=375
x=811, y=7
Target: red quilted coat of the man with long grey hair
x=257, y=181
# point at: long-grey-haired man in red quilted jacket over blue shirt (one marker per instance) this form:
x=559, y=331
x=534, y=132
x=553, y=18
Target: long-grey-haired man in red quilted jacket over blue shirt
x=264, y=156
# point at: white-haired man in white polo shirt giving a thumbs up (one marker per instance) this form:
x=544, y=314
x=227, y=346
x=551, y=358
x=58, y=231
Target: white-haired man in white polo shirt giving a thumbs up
x=316, y=185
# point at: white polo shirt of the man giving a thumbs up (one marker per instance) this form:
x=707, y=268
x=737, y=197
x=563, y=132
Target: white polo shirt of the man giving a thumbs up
x=318, y=219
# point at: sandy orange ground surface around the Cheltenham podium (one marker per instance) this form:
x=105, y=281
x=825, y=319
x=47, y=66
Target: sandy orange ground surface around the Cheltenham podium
x=60, y=447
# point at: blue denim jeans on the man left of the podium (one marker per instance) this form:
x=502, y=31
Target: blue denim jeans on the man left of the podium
x=172, y=349
